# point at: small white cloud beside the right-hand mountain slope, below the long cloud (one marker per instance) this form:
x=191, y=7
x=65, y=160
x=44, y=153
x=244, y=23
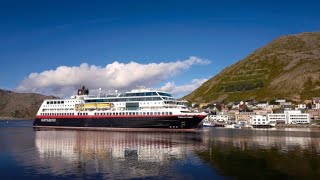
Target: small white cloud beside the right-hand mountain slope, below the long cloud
x=182, y=90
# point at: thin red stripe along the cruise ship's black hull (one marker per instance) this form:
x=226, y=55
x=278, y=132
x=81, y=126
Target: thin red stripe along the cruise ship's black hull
x=114, y=116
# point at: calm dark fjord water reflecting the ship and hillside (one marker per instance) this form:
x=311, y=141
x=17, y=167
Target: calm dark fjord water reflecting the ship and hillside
x=212, y=153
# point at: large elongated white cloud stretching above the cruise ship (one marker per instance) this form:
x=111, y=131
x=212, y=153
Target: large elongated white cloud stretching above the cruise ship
x=66, y=80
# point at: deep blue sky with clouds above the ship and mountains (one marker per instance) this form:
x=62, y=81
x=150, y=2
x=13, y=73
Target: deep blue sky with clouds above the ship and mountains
x=39, y=36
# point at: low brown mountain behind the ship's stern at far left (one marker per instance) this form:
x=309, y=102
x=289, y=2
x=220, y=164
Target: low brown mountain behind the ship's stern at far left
x=20, y=105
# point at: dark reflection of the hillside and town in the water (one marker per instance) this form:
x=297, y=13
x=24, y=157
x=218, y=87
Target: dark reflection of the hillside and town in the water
x=249, y=154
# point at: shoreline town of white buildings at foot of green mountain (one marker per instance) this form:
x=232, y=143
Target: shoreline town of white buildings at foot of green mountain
x=250, y=113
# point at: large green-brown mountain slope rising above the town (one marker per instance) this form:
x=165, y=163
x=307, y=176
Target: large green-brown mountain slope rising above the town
x=288, y=67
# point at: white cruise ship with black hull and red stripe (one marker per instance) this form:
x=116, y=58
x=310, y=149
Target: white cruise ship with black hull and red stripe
x=140, y=109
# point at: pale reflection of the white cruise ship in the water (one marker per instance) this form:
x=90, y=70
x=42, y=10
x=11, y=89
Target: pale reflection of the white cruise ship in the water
x=113, y=154
